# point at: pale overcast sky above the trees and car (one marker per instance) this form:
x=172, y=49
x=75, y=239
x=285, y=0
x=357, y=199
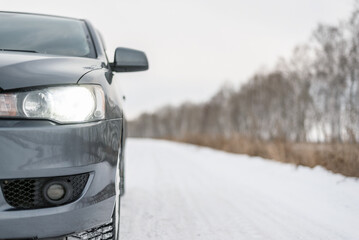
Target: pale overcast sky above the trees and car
x=194, y=46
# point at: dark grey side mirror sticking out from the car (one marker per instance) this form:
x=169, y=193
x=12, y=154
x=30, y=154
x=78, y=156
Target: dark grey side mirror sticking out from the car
x=129, y=60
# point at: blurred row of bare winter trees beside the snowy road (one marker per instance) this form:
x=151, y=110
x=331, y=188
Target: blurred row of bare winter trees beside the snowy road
x=311, y=96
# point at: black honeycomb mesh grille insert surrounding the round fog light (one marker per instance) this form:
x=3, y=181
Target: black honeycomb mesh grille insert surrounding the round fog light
x=28, y=193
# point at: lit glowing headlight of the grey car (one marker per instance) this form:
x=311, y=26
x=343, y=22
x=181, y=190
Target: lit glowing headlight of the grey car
x=68, y=104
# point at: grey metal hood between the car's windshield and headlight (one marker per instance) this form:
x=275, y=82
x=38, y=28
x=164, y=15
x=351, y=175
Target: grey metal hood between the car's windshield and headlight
x=21, y=70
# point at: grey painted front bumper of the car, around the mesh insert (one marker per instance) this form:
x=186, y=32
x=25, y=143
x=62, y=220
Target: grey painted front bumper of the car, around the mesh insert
x=33, y=149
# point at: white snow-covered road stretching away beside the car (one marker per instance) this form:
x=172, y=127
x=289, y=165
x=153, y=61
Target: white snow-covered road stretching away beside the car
x=178, y=191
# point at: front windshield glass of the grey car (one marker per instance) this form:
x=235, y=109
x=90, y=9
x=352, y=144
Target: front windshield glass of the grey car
x=45, y=34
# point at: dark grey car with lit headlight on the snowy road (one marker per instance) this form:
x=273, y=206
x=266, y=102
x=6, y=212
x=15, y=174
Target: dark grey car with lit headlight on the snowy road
x=62, y=128
